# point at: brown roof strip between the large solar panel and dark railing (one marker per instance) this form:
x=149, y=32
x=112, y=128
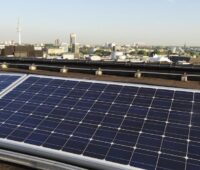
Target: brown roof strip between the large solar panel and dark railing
x=143, y=80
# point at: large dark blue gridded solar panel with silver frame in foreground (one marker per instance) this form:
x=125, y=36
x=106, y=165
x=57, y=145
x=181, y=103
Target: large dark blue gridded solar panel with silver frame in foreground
x=103, y=125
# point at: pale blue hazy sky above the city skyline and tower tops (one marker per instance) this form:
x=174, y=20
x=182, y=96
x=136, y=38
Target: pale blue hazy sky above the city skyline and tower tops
x=156, y=22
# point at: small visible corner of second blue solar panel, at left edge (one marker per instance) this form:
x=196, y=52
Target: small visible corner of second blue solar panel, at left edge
x=6, y=80
